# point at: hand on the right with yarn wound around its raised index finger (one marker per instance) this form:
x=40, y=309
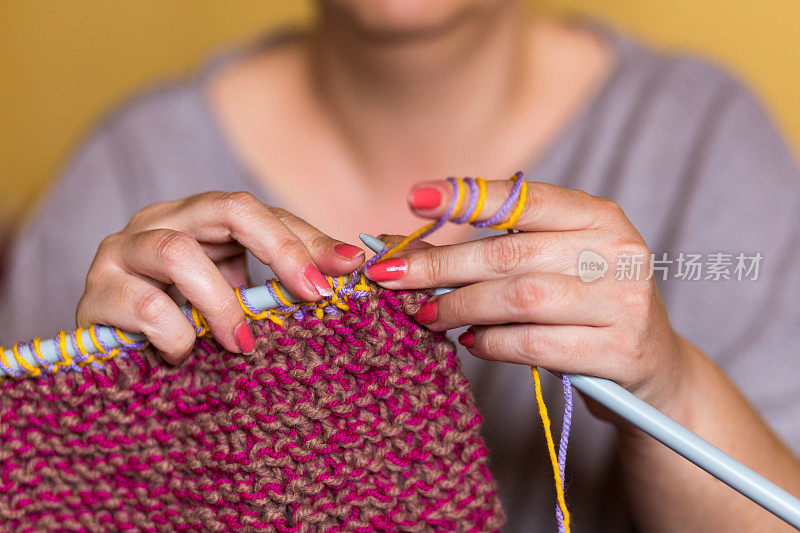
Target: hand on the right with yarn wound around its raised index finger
x=525, y=302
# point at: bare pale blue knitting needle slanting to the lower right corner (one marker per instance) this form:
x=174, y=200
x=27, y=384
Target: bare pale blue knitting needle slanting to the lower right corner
x=675, y=436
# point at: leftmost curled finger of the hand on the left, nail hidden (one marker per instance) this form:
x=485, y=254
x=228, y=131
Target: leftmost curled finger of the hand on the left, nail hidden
x=132, y=304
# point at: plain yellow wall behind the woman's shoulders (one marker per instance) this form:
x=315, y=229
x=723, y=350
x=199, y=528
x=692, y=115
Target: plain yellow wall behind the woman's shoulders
x=62, y=62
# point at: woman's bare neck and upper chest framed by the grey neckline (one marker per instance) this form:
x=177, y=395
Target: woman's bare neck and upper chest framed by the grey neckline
x=332, y=111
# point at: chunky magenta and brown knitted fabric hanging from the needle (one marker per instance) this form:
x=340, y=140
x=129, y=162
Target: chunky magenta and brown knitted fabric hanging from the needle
x=359, y=420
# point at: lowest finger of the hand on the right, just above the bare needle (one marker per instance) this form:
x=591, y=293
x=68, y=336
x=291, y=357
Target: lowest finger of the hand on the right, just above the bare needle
x=572, y=349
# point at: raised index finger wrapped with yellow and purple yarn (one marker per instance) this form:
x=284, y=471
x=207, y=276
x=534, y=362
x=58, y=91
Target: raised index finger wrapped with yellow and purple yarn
x=547, y=207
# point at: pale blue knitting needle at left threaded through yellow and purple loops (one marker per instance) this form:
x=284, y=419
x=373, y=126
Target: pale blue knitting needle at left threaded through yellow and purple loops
x=259, y=298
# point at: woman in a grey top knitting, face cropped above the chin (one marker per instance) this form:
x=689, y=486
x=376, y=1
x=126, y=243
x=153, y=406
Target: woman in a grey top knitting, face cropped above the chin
x=337, y=125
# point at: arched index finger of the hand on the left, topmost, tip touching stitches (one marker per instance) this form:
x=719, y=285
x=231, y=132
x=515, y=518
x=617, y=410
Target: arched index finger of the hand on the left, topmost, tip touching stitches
x=218, y=217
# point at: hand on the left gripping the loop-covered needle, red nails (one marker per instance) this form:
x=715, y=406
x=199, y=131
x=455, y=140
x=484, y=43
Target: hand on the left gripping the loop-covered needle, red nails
x=198, y=245
